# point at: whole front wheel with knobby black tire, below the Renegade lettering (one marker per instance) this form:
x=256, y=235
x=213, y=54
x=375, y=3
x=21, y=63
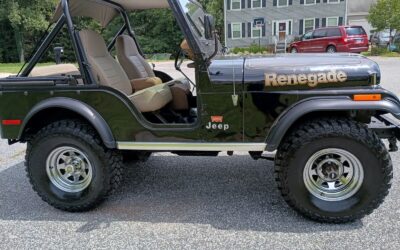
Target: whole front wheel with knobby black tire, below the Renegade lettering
x=347, y=141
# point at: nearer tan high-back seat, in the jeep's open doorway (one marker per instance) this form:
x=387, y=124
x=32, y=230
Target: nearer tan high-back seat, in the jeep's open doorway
x=109, y=72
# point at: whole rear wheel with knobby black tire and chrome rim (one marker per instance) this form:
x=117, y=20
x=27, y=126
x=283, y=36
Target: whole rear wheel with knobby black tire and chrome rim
x=69, y=167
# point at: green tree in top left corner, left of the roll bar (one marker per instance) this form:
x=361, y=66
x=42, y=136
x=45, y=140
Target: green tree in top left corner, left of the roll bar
x=27, y=18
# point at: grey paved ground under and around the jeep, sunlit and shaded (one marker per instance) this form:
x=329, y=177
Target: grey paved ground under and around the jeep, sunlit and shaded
x=189, y=202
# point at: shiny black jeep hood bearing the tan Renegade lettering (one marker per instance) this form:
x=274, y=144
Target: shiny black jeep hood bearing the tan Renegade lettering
x=297, y=71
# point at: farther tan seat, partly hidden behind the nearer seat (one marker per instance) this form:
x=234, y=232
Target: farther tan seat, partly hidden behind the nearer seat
x=142, y=76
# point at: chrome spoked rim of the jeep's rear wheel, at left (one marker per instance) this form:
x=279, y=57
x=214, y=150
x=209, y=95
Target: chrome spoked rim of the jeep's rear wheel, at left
x=69, y=169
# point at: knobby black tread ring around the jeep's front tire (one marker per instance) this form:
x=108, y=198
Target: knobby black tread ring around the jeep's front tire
x=332, y=127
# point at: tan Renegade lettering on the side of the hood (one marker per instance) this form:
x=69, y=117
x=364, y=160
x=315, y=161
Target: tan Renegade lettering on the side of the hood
x=311, y=79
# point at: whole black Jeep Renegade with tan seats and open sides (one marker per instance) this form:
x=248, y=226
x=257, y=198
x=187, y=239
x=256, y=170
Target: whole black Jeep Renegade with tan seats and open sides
x=324, y=115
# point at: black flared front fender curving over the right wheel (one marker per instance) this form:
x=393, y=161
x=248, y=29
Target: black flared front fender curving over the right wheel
x=295, y=112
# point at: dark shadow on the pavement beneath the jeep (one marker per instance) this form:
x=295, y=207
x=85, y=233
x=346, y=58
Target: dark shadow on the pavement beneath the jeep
x=228, y=193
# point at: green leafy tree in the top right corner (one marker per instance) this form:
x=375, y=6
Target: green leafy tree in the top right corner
x=385, y=14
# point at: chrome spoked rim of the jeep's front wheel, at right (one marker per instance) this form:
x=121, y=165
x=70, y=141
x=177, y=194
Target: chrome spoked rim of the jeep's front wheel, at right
x=333, y=174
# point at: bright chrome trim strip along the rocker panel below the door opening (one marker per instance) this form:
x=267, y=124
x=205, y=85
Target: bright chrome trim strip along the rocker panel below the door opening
x=190, y=146
